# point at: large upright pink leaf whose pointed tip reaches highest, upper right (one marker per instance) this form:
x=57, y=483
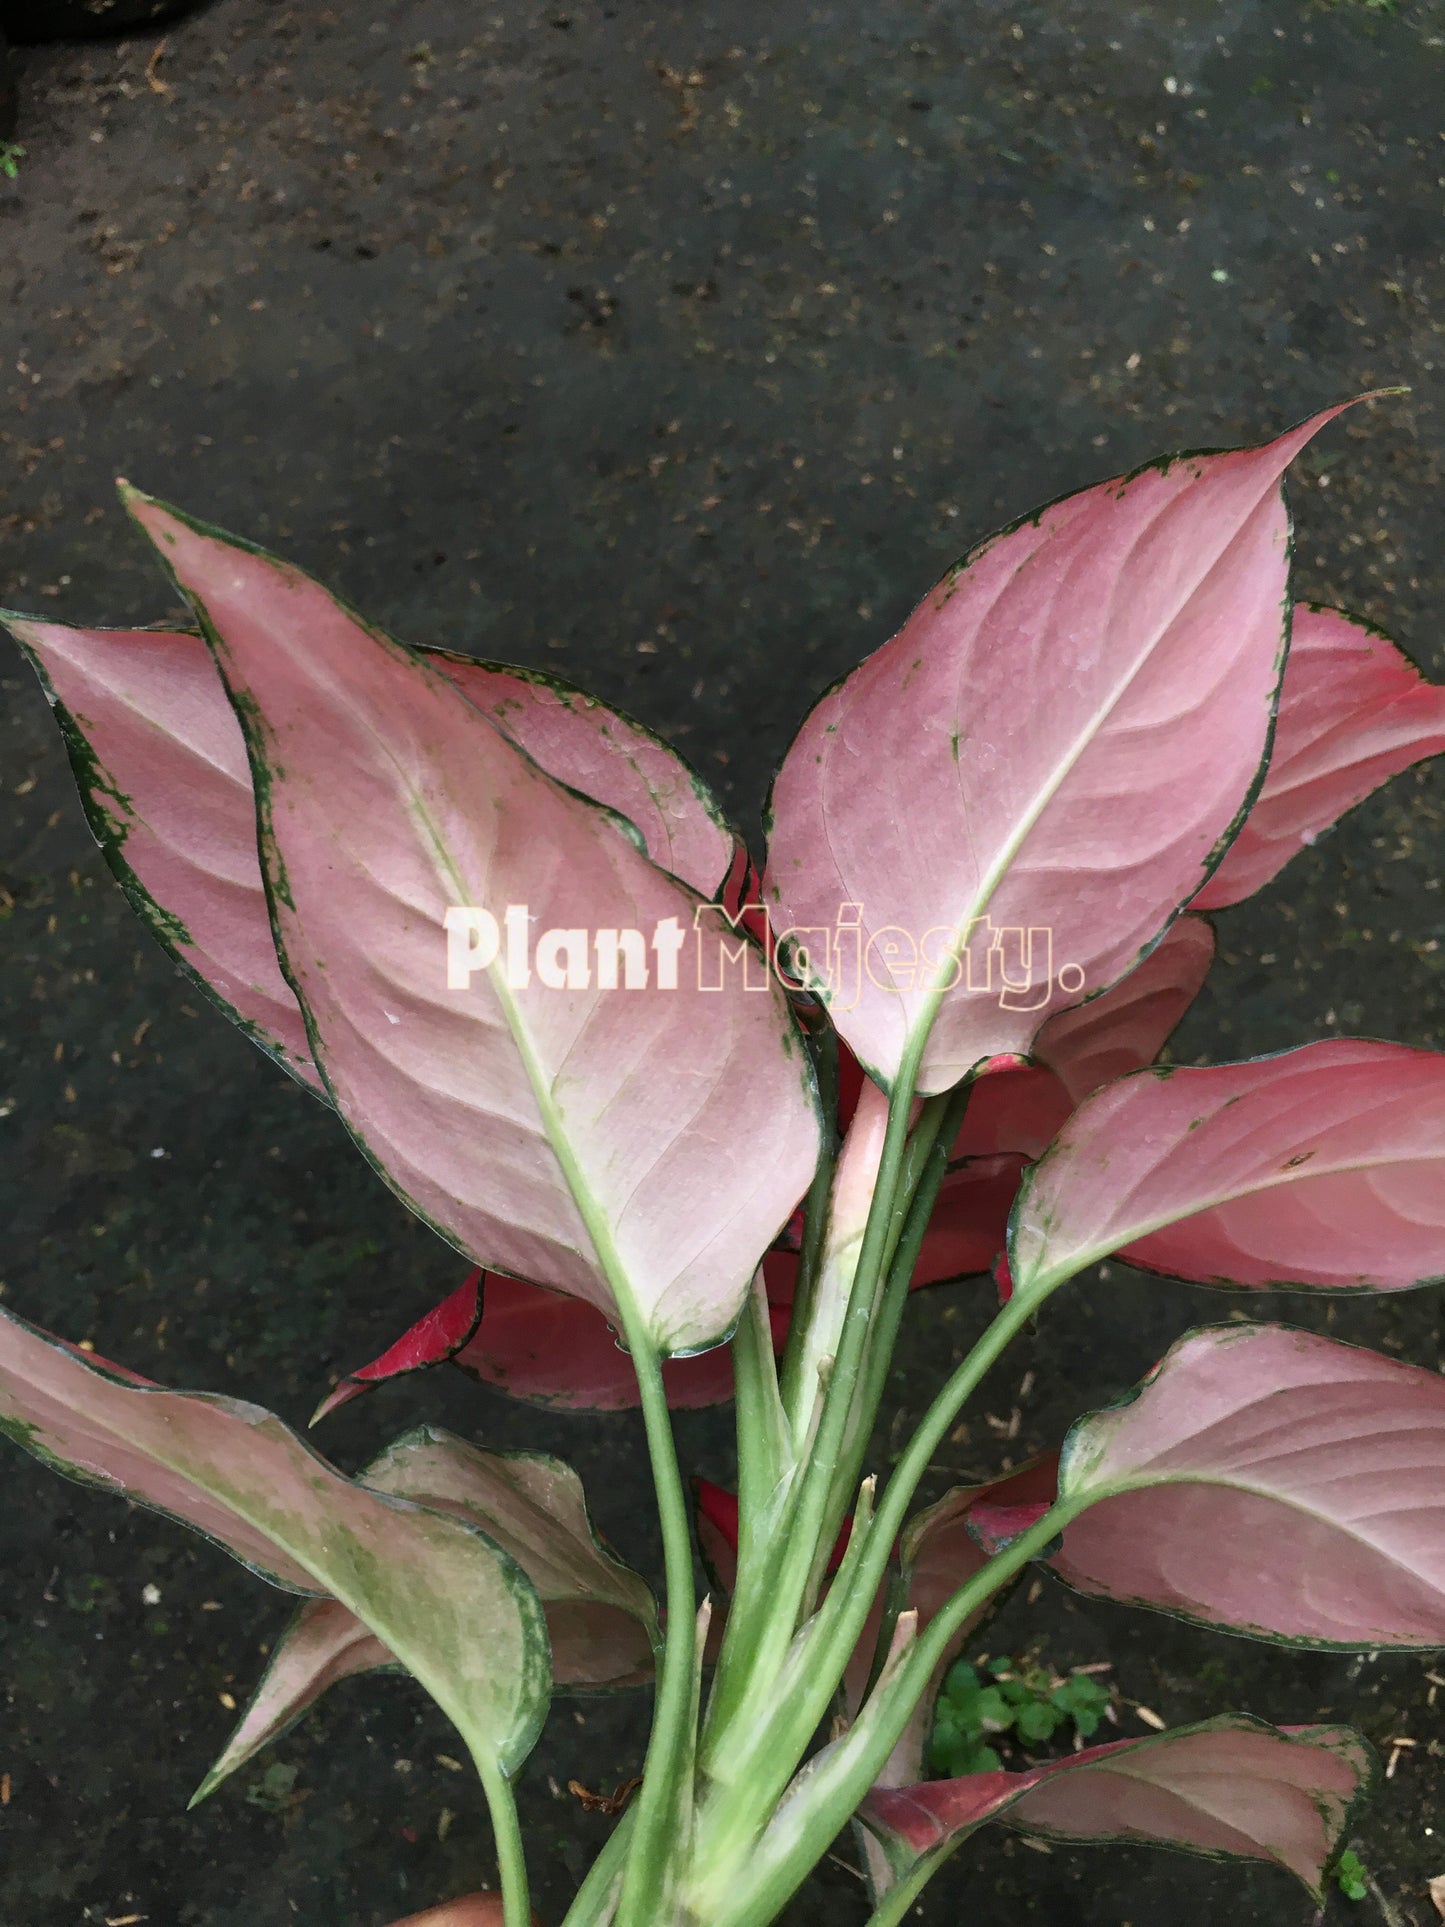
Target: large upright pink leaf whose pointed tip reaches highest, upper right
x=1061, y=741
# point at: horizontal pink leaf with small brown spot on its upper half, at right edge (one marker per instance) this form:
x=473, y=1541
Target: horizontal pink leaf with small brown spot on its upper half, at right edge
x=1323, y=1167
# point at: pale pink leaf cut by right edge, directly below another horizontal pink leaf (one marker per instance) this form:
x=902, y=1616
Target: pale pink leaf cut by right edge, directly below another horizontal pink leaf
x=1271, y=1483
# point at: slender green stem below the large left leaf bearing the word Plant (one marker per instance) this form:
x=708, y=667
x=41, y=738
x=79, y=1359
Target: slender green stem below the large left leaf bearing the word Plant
x=668, y=1768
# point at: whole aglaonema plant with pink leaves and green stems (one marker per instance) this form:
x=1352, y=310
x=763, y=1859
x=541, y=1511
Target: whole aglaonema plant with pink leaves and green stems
x=702, y=1134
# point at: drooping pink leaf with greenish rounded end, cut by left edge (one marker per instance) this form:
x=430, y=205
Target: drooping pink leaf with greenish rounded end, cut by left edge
x=446, y=1600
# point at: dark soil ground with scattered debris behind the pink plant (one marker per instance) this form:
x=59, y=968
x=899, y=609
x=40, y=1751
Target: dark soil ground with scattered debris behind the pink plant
x=675, y=348
